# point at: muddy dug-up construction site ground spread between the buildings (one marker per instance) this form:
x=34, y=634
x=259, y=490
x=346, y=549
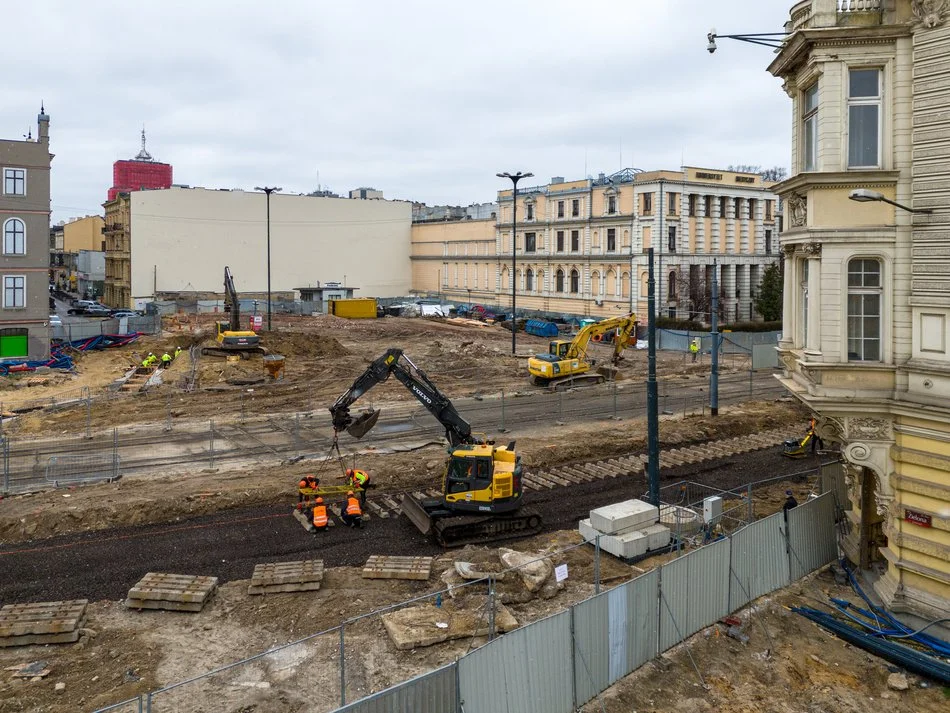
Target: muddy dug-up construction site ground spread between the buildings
x=154, y=527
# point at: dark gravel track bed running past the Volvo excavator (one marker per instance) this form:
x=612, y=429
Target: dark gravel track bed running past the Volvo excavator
x=105, y=564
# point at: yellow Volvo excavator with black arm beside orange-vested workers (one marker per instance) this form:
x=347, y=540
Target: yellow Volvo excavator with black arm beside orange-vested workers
x=481, y=498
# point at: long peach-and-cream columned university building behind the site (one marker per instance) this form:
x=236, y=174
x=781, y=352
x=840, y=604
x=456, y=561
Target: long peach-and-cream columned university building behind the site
x=580, y=245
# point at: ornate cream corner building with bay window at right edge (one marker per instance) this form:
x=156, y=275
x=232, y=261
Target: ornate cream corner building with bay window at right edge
x=867, y=284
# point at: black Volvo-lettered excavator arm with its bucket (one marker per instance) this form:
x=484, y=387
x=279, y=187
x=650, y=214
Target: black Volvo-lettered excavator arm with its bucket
x=394, y=362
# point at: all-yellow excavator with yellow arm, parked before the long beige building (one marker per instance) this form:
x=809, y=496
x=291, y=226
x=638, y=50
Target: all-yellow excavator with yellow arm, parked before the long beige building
x=567, y=364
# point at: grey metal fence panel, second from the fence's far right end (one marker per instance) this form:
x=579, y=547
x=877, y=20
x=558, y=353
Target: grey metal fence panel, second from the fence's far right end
x=759, y=561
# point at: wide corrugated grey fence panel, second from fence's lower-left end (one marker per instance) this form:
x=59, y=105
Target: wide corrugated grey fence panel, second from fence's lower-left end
x=525, y=671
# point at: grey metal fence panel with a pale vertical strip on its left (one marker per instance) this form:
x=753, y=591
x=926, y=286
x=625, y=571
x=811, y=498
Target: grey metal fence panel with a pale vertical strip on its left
x=633, y=624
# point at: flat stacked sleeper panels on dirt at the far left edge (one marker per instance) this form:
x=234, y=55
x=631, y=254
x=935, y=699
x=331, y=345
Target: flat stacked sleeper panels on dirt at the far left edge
x=42, y=623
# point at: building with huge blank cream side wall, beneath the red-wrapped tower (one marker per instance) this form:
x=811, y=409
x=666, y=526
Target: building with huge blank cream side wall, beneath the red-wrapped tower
x=179, y=240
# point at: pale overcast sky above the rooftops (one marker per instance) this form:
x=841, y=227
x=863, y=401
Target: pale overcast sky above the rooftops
x=423, y=100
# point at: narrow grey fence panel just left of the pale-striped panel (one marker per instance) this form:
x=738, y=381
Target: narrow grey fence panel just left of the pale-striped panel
x=591, y=647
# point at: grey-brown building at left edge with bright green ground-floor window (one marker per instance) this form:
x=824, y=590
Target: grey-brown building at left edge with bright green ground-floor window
x=24, y=226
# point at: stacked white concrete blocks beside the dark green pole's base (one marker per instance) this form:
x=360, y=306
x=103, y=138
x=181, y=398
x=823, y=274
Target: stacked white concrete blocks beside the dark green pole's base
x=627, y=530
